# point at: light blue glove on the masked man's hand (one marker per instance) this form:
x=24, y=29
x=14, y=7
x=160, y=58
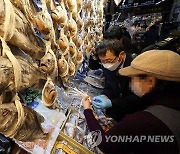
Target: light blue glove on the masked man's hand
x=101, y=102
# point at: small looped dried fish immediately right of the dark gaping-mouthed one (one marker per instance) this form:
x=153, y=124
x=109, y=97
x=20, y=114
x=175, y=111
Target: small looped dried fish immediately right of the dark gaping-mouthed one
x=63, y=67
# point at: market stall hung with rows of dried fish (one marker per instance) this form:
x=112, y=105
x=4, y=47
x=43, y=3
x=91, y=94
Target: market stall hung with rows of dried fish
x=43, y=44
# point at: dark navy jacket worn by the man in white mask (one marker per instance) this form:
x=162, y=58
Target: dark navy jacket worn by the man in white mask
x=117, y=90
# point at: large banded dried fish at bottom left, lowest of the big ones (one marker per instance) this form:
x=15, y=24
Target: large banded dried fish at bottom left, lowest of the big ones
x=20, y=122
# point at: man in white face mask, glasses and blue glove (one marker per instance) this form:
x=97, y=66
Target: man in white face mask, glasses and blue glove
x=116, y=97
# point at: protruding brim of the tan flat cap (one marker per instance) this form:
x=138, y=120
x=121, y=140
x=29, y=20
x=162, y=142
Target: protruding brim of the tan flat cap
x=130, y=71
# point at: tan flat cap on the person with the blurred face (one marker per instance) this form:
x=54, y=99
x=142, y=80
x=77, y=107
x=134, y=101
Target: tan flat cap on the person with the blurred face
x=162, y=64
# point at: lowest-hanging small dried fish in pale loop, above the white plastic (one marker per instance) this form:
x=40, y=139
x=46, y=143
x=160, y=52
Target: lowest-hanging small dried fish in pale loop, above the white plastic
x=49, y=93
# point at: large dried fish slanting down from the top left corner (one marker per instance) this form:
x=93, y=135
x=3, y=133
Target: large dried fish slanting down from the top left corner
x=15, y=27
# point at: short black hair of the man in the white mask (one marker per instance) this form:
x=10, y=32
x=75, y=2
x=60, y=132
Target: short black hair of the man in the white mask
x=115, y=46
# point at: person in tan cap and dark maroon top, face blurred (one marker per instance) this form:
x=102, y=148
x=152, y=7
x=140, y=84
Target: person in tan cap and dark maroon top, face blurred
x=155, y=128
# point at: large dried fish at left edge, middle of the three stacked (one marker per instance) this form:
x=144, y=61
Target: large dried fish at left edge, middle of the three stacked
x=30, y=75
